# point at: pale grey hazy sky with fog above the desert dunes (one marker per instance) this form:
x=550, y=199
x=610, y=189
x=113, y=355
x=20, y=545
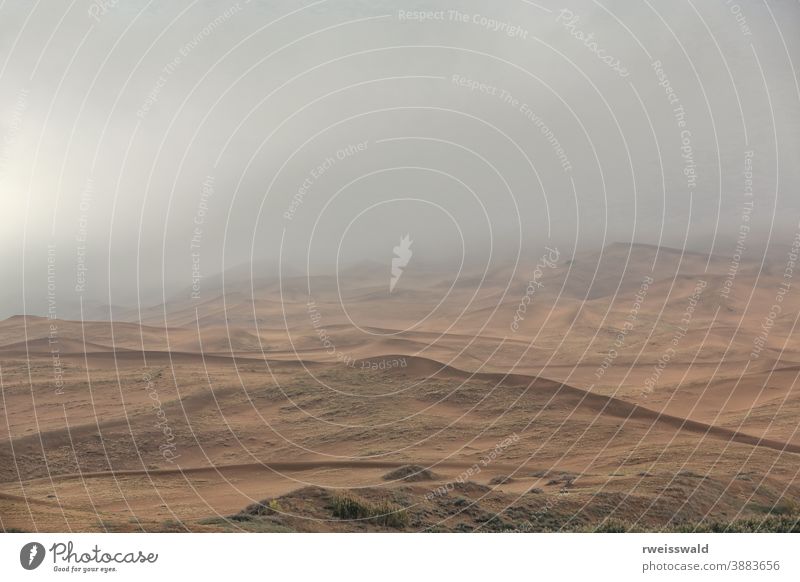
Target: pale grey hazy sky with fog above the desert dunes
x=147, y=141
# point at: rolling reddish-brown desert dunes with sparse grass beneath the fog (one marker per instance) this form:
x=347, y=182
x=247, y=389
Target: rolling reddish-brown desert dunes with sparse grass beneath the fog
x=632, y=388
